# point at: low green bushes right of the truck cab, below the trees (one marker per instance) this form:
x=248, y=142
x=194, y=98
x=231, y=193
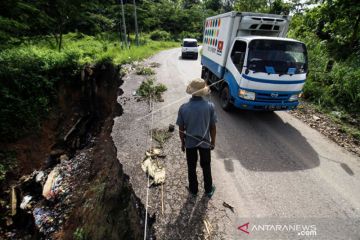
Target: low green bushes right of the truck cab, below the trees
x=338, y=89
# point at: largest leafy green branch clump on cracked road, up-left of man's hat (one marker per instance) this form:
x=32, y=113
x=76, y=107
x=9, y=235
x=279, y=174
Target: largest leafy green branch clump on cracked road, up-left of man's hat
x=149, y=89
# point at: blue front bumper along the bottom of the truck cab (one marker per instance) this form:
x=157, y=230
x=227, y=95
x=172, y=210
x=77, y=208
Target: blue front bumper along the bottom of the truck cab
x=263, y=106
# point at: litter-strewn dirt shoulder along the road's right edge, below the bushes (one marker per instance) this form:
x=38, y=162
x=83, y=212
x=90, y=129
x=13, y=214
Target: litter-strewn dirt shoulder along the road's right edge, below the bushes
x=321, y=122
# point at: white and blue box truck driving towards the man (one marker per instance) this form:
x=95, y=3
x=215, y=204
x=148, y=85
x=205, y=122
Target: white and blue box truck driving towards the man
x=247, y=58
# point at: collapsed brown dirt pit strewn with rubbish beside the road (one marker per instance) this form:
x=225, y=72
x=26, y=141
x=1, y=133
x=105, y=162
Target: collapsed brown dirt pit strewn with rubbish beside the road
x=93, y=198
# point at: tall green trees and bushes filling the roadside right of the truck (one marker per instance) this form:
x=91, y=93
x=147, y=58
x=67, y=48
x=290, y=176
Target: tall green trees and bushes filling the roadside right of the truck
x=334, y=57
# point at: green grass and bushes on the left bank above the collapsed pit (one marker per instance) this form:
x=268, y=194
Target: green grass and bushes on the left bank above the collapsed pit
x=31, y=72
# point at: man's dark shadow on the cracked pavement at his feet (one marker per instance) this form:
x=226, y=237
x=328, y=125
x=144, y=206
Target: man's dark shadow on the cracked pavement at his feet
x=189, y=223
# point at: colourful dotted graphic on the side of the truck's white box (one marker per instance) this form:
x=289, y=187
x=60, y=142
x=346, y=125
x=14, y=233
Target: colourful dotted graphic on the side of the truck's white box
x=211, y=34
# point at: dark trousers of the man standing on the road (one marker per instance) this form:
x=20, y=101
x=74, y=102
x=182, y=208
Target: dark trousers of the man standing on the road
x=205, y=159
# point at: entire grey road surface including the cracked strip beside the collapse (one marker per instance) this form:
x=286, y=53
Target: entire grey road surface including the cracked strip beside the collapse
x=271, y=167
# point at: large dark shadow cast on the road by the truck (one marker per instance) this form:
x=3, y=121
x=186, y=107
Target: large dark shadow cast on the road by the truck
x=261, y=141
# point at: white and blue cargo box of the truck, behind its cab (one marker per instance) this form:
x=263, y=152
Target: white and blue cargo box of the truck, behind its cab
x=220, y=31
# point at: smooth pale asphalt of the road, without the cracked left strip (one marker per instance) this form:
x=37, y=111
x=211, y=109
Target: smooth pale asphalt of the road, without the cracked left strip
x=271, y=167
